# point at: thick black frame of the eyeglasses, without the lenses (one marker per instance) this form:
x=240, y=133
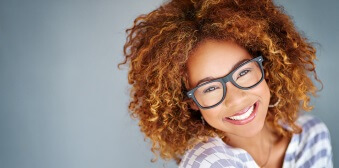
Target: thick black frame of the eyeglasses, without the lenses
x=228, y=78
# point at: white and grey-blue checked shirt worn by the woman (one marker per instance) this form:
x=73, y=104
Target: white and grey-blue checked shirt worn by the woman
x=310, y=148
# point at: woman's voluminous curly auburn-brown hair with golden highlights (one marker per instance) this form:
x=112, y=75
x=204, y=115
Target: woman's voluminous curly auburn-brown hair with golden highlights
x=158, y=46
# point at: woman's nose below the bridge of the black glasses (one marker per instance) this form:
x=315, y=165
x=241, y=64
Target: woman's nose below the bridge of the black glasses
x=234, y=96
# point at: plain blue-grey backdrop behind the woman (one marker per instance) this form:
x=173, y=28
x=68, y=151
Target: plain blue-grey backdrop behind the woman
x=64, y=102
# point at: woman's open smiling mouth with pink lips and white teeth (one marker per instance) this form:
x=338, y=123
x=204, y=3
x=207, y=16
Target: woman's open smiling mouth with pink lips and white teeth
x=245, y=116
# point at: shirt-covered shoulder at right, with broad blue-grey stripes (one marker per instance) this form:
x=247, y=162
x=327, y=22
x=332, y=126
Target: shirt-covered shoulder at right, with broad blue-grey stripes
x=313, y=144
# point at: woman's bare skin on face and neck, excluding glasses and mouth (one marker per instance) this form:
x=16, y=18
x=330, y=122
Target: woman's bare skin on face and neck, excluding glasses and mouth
x=217, y=59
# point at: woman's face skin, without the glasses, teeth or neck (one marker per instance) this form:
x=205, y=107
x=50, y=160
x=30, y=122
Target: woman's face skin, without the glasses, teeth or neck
x=217, y=59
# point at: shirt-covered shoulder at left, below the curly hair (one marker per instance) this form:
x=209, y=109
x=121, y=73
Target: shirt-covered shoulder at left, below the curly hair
x=215, y=154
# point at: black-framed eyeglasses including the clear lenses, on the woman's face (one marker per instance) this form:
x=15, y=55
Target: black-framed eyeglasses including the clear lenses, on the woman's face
x=246, y=76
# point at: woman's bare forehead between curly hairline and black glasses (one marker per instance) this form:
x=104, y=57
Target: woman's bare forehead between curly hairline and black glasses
x=214, y=59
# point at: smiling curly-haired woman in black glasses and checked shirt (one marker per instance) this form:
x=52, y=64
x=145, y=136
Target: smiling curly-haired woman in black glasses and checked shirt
x=225, y=84
